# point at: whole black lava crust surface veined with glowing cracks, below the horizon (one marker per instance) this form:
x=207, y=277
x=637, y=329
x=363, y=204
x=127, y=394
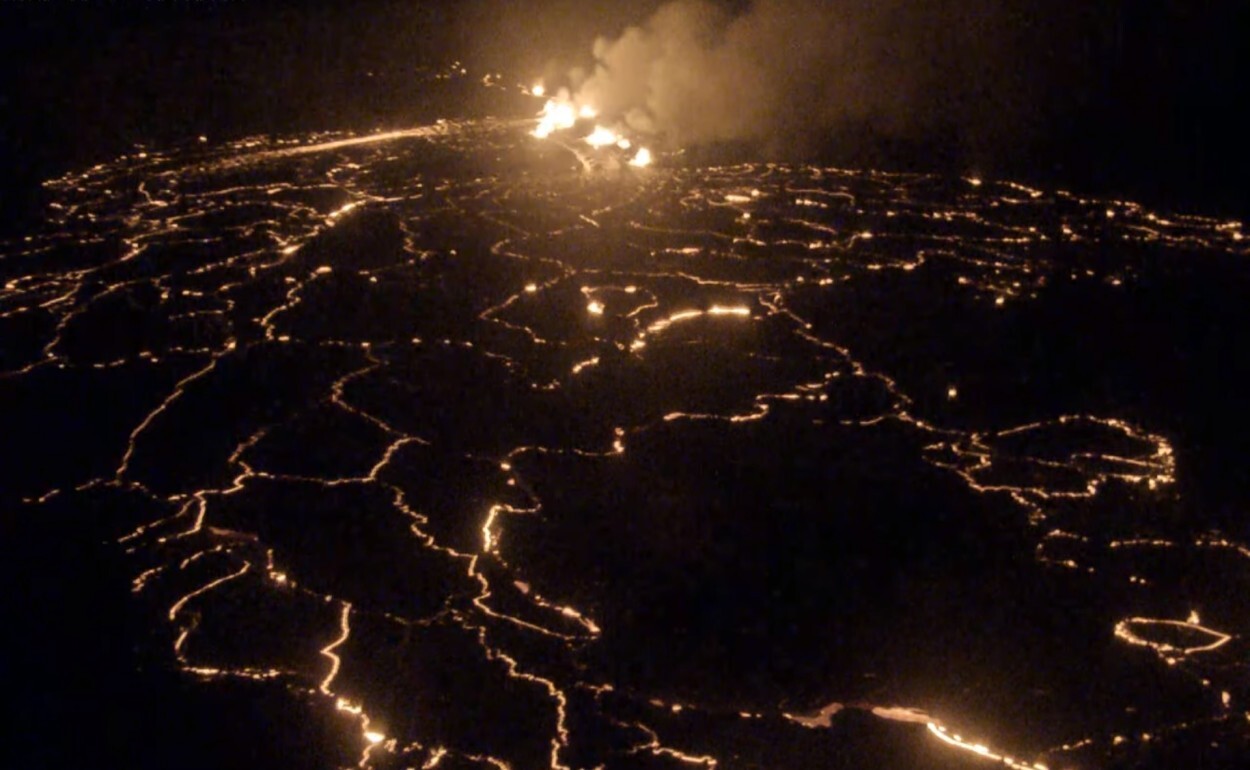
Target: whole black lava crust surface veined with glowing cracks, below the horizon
x=433, y=449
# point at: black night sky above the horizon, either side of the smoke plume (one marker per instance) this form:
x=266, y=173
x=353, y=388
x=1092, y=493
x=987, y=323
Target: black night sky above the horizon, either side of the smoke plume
x=1128, y=98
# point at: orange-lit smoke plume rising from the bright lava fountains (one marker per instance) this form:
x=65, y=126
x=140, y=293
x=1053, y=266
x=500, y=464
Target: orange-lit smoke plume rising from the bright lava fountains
x=791, y=73
